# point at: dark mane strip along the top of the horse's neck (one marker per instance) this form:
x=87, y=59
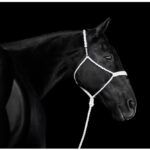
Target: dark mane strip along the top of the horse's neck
x=36, y=41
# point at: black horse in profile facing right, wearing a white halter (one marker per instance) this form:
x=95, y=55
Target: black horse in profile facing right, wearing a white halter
x=30, y=68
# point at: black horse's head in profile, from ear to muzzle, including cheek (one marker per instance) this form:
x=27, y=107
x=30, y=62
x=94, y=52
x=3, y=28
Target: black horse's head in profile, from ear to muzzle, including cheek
x=98, y=68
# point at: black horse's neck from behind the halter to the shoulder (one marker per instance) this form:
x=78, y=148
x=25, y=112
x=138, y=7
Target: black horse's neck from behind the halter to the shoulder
x=43, y=62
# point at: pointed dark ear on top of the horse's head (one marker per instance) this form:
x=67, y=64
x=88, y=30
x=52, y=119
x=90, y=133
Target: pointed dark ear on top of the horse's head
x=103, y=26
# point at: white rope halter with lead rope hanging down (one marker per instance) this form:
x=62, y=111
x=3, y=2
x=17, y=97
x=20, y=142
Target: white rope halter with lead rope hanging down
x=91, y=102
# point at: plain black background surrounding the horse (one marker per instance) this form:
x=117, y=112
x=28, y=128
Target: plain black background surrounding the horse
x=66, y=105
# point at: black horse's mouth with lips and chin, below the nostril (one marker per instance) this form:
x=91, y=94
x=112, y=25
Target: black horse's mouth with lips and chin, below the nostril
x=126, y=115
